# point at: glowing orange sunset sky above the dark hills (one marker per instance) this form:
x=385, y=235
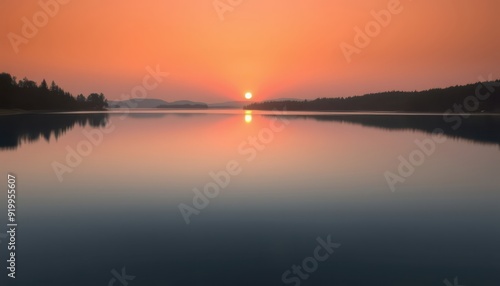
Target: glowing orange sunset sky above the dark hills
x=281, y=48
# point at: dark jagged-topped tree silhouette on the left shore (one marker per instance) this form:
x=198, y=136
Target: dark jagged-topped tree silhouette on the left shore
x=27, y=95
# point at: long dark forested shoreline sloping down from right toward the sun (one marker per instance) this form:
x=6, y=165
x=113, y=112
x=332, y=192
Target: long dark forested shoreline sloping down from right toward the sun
x=433, y=100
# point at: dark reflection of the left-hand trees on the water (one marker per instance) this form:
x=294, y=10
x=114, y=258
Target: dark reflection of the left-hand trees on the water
x=18, y=129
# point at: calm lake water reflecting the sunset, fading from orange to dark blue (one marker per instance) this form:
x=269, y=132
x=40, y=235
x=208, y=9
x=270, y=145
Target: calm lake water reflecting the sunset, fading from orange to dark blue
x=301, y=178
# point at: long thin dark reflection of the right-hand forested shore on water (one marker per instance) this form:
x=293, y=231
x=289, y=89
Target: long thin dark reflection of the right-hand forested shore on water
x=480, y=129
